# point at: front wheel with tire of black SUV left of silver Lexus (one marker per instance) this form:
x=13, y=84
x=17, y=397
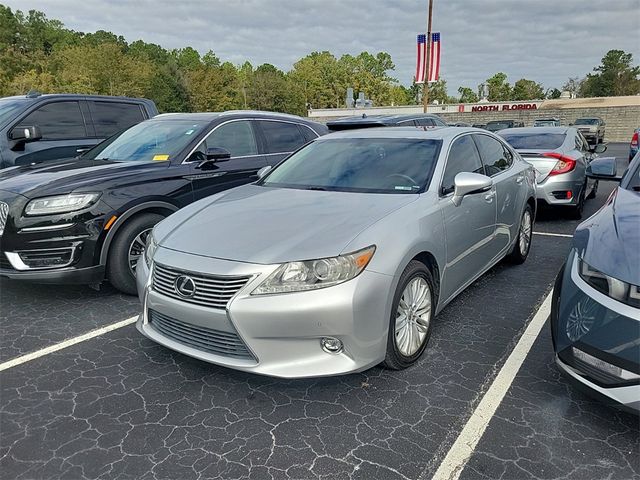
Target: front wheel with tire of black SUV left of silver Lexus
x=127, y=246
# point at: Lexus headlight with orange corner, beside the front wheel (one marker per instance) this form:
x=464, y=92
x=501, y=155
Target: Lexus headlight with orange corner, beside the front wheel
x=314, y=274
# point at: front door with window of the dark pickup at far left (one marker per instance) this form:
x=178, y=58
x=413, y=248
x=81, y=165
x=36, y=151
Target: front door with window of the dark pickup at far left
x=64, y=131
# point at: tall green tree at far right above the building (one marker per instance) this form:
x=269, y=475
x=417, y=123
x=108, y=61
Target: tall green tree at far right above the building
x=614, y=76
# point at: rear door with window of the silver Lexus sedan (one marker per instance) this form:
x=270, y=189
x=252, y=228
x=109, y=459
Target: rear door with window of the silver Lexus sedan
x=507, y=184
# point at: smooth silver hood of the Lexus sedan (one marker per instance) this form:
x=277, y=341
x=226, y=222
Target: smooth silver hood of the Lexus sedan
x=268, y=225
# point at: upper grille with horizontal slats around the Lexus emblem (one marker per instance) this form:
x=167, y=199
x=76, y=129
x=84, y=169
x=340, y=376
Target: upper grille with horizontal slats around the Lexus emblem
x=210, y=290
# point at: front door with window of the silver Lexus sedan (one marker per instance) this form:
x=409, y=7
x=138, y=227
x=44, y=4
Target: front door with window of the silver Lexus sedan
x=469, y=227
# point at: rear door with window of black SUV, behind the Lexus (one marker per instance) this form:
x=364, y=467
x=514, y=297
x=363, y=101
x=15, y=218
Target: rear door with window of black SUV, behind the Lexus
x=280, y=138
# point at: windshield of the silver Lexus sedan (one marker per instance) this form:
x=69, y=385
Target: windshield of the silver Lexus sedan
x=375, y=165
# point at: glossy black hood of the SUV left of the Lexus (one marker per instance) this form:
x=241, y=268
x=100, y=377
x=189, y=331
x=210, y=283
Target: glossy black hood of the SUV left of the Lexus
x=65, y=176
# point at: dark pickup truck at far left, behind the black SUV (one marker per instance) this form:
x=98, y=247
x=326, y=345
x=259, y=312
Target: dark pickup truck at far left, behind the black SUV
x=37, y=128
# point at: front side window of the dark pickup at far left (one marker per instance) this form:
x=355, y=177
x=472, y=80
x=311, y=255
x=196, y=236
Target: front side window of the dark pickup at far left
x=57, y=121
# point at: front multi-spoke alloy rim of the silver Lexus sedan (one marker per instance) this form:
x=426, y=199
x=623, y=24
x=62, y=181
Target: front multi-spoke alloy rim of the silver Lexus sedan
x=413, y=316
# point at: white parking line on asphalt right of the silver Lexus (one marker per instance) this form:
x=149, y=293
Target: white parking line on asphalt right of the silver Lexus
x=462, y=449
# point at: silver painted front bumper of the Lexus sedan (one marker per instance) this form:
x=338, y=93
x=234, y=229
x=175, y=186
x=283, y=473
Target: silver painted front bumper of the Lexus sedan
x=282, y=332
